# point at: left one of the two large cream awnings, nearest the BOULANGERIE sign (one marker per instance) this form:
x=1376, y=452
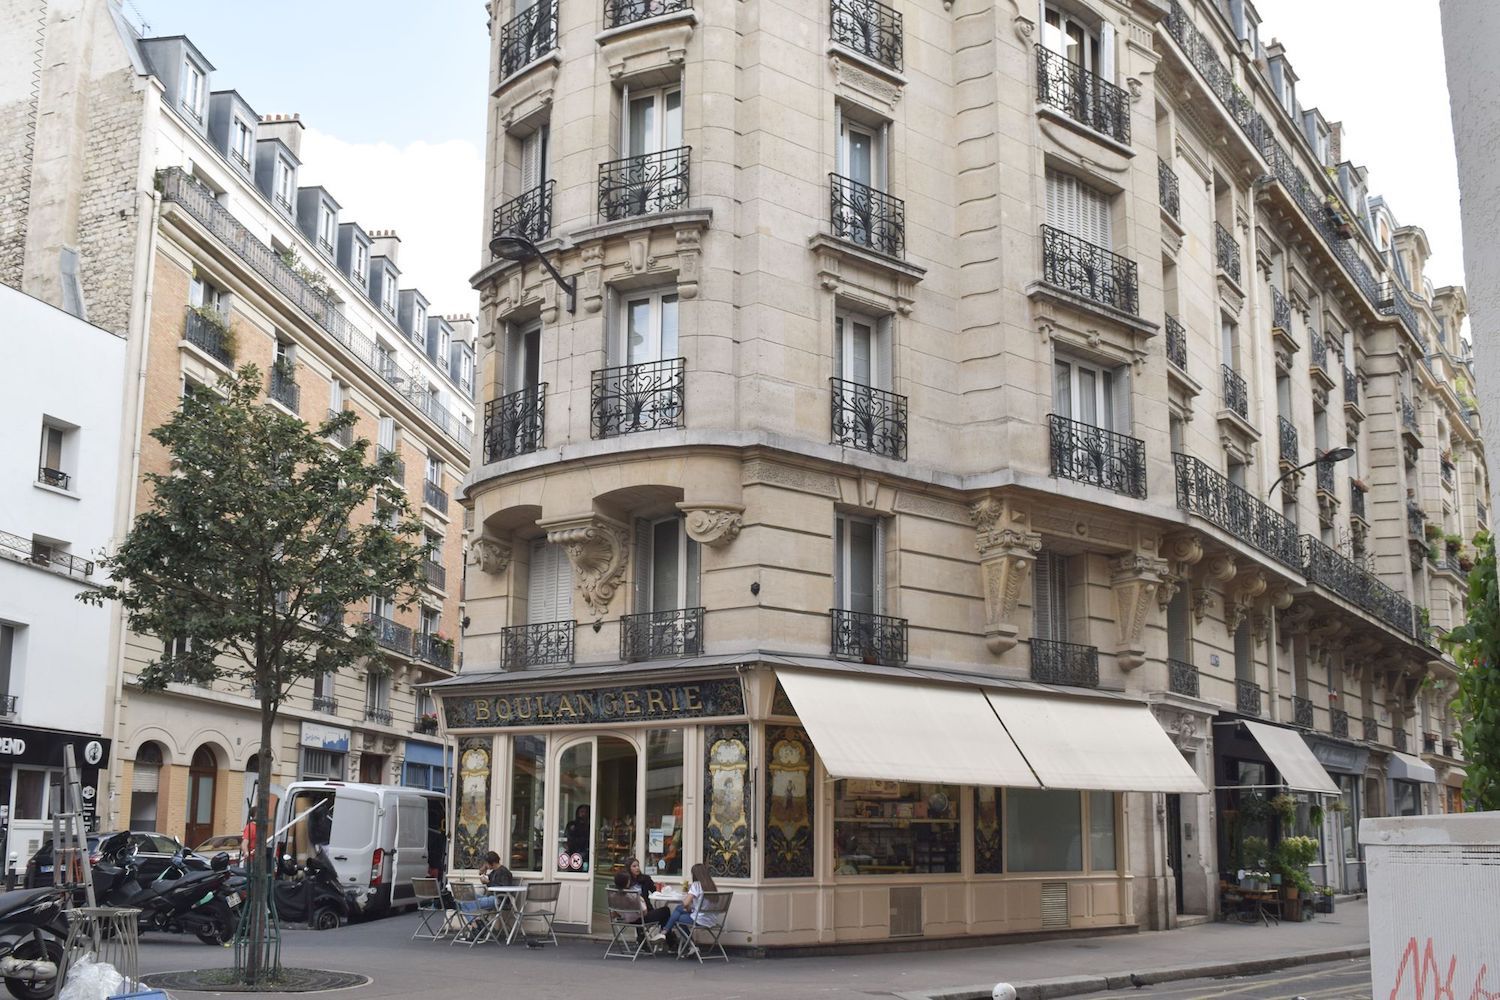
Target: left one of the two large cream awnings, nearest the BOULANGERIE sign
x=872, y=728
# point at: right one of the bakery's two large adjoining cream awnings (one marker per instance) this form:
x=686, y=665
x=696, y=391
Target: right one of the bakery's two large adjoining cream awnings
x=1075, y=743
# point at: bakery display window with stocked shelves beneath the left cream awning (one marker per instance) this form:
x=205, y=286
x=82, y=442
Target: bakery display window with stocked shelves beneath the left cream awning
x=896, y=828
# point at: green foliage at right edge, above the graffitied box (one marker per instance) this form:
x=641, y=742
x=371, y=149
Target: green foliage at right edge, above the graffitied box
x=1477, y=647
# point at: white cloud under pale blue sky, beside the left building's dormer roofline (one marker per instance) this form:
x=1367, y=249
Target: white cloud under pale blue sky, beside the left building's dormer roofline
x=431, y=194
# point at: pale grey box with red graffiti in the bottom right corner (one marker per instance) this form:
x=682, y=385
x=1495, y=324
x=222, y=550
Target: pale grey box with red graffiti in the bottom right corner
x=1435, y=906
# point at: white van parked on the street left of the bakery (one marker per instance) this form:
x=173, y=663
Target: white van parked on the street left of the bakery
x=380, y=836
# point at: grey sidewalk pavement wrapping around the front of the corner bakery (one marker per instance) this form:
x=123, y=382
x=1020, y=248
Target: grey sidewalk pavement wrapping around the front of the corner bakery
x=403, y=968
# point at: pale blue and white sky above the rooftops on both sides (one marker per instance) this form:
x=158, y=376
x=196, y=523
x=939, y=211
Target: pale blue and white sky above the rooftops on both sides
x=395, y=98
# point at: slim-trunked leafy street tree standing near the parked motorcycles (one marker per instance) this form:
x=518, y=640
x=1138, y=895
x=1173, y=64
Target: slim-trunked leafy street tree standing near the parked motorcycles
x=254, y=546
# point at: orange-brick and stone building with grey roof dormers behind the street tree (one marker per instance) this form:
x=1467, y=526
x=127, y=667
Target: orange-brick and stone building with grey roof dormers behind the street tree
x=170, y=212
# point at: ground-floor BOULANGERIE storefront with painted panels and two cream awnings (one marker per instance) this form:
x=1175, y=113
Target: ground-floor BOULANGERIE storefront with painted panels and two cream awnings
x=839, y=803
